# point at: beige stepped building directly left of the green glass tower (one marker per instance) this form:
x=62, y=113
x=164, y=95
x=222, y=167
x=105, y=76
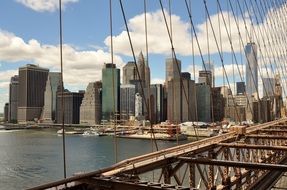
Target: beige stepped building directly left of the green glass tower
x=91, y=107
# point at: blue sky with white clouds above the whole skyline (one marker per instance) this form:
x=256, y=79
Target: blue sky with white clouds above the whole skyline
x=29, y=33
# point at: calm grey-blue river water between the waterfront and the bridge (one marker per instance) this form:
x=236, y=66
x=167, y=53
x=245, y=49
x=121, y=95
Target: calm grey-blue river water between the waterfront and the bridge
x=32, y=157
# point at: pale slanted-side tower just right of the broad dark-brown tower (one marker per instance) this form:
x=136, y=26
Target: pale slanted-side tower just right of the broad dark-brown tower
x=52, y=85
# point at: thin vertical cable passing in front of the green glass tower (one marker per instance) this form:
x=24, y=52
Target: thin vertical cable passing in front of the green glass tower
x=113, y=85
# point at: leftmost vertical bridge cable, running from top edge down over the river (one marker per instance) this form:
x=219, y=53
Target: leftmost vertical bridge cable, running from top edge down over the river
x=62, y=88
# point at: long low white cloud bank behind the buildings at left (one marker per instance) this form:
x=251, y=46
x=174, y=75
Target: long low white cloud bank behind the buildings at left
x=80, y=67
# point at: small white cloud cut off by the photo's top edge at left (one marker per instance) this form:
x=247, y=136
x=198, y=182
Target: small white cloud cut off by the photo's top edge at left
x=45, y=5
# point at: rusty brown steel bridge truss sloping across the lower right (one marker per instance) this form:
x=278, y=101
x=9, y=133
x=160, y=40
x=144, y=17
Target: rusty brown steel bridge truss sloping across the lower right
x=235, y=159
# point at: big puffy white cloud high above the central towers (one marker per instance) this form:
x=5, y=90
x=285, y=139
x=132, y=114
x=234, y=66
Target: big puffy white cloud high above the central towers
x=157, y=35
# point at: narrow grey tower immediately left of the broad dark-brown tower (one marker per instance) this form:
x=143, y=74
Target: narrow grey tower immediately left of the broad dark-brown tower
x=13, y=99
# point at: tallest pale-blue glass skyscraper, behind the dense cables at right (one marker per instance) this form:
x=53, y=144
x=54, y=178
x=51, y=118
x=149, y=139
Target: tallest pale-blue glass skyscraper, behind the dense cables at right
x=251, y=69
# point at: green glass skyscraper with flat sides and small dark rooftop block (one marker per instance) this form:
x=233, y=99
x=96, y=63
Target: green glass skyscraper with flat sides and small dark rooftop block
x=110, y=95
